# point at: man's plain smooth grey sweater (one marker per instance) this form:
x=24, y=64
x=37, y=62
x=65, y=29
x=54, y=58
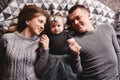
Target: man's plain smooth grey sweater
x=99, y=53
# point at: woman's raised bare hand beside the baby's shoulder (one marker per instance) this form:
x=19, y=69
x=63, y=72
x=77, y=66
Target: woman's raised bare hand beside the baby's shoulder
x=44, y=41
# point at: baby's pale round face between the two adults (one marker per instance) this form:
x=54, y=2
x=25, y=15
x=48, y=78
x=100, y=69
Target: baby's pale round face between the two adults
x=56, y=27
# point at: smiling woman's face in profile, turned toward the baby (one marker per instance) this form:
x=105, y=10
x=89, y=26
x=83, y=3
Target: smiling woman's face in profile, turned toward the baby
x=36, y=25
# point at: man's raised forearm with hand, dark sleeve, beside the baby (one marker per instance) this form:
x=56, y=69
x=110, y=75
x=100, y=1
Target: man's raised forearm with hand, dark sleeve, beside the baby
x=75, y=61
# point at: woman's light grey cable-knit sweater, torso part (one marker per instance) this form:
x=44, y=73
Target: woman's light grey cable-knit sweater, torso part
x=20, y=57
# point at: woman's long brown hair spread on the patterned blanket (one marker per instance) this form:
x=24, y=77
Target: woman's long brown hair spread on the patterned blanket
x=27, y=13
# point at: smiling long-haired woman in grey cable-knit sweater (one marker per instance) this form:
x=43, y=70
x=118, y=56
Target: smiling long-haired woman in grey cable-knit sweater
x=18, y=50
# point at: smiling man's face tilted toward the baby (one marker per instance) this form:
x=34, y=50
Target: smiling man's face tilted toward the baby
x=79, y=19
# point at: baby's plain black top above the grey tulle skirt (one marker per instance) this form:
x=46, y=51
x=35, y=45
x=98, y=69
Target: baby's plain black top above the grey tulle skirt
x=58, y=43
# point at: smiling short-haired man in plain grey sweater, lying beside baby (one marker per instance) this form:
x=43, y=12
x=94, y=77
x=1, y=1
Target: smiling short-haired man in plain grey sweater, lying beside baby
x=100, y=52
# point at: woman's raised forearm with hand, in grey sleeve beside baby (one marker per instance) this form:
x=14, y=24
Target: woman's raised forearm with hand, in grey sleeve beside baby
x=42, y=54
